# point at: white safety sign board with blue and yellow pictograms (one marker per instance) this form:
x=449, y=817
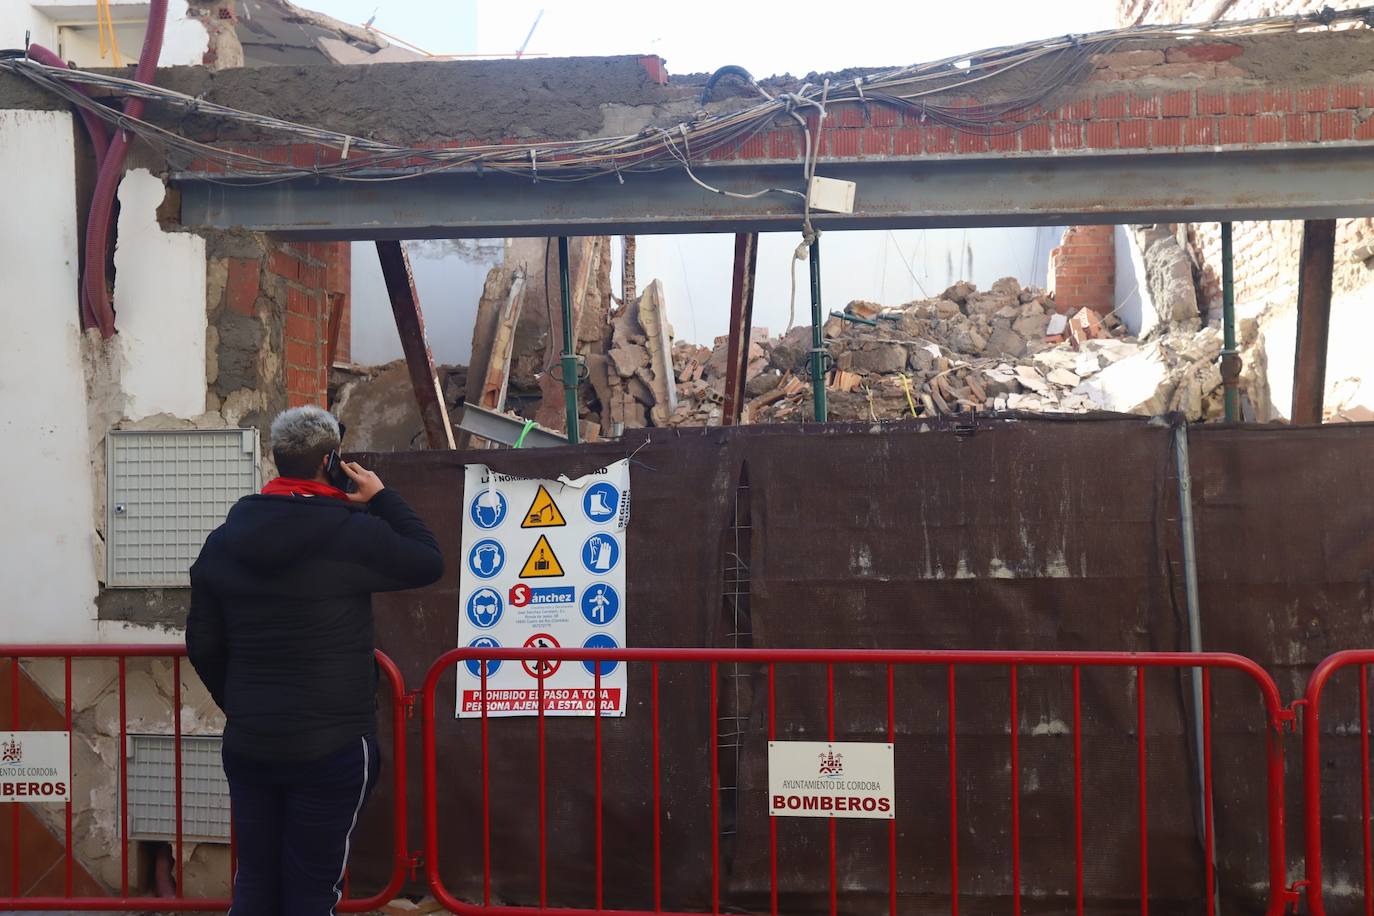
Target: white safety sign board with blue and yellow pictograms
x=543, y=566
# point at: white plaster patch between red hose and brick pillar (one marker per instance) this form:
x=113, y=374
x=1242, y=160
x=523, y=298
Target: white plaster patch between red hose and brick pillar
x=160, y=303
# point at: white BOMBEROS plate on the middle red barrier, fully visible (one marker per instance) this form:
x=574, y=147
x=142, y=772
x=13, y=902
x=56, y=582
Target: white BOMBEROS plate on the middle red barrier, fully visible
x=842, y=779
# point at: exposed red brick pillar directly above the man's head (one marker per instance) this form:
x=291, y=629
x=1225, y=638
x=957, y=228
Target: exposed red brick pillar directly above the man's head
x=313, y=271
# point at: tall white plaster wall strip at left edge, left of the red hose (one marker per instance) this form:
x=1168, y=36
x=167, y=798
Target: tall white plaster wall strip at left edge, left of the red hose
x=47, y=565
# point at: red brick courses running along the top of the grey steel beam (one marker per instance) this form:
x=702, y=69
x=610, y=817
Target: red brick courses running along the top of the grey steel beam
x=1186, y=97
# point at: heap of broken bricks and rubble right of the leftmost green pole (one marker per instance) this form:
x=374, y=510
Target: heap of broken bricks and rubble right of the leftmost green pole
x=1006, y=348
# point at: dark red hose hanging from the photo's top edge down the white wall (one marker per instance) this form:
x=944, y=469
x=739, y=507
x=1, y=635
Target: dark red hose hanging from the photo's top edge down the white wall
x=95, y=284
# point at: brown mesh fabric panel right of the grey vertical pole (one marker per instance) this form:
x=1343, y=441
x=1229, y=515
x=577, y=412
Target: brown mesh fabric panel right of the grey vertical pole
x=1285, y=528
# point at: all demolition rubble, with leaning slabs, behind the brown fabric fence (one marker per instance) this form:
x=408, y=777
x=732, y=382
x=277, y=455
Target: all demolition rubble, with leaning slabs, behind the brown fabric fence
x=1002, y=350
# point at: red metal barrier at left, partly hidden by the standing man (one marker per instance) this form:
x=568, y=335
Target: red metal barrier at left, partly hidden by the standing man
x=12, y=897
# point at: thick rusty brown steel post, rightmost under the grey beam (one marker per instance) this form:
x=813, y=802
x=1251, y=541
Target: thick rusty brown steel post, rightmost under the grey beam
x=1314, y=319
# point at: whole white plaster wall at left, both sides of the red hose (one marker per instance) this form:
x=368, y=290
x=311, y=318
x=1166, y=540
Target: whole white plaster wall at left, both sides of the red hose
x=50, y=556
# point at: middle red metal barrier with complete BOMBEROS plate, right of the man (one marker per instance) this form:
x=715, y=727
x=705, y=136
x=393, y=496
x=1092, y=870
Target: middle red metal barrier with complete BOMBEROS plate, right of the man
x=890, y=660
